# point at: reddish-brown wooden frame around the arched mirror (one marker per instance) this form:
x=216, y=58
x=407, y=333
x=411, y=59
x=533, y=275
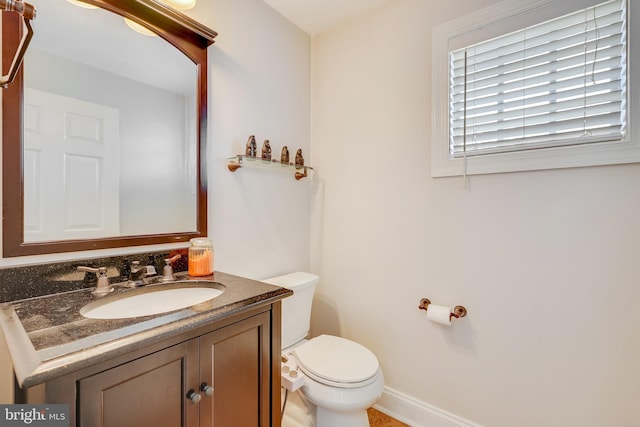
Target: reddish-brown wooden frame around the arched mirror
x=184, y=33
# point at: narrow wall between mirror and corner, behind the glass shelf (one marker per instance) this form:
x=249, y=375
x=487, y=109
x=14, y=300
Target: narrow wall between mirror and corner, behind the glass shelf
x=259, y=84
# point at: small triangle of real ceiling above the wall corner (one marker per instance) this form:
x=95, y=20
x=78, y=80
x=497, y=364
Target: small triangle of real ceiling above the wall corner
x=315, y=16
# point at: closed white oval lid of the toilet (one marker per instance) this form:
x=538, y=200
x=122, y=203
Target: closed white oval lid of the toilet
x=336, y=360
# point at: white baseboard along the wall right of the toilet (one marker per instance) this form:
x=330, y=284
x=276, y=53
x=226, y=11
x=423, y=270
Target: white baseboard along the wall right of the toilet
x=416, y=413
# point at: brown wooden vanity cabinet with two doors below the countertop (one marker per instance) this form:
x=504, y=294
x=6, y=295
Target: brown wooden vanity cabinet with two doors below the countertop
x=226, y=377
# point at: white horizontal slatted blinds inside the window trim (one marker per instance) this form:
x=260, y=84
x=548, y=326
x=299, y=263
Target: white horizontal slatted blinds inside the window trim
x=561, y=82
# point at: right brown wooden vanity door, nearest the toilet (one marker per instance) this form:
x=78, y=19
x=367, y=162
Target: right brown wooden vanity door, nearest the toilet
x=236, y=361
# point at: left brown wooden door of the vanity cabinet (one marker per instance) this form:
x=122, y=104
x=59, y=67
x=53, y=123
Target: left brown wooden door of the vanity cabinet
x=150, y=391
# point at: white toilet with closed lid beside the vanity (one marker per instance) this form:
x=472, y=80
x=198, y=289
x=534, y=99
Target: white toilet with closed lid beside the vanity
x=341, y=377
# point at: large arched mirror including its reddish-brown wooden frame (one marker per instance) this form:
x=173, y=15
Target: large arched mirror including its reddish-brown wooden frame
x=104, y=128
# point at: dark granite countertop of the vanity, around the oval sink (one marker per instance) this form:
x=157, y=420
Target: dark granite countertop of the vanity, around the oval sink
x=48, y=337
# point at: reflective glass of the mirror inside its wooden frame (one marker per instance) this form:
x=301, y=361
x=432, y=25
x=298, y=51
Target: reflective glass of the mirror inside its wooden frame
x=110, y=128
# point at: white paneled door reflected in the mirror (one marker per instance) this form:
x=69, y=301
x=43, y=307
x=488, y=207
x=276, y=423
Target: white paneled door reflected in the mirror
x=70, y=153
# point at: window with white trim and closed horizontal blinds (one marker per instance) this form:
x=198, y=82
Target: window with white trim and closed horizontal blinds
x=533, y=86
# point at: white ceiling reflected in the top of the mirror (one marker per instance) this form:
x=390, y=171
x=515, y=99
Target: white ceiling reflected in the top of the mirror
x=109, y=45
